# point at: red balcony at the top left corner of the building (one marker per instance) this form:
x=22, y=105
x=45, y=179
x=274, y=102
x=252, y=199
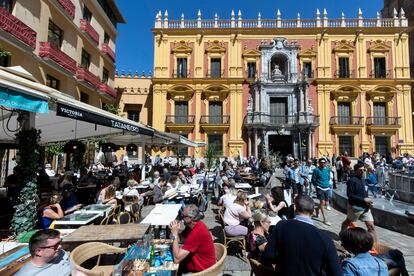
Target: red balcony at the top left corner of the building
x=17, y=28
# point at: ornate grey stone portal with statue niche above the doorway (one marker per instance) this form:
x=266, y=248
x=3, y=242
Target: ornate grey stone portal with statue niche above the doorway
x=279, y=115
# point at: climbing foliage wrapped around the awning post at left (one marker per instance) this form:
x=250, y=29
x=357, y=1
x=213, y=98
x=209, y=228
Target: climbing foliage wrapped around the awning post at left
x=25, y=216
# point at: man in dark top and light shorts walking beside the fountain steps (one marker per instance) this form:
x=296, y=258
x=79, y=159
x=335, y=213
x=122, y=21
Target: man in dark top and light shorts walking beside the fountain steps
x=359, y=204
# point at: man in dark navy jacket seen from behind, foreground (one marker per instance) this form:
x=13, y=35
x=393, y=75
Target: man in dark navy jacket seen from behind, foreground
x=299, y=248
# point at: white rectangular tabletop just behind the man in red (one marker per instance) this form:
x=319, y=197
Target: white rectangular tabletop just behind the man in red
x=162, y=214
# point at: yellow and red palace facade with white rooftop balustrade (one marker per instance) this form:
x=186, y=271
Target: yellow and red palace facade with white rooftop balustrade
x=304, y=86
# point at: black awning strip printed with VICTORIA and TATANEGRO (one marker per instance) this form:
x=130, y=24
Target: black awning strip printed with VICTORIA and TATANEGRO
x=83, y=115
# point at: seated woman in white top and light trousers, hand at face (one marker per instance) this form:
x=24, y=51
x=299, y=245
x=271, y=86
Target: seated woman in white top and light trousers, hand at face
x=235, y=213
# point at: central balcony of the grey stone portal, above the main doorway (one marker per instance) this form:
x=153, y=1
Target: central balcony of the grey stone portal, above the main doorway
x=266, y=120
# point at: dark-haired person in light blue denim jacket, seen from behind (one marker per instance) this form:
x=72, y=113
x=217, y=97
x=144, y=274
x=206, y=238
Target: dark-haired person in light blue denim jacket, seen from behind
x=358, y=241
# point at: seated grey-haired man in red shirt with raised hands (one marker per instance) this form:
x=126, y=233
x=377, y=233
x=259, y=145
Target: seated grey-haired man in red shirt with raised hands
x=197, y=253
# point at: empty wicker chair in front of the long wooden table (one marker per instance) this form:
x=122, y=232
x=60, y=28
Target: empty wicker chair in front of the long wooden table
x=89, y=250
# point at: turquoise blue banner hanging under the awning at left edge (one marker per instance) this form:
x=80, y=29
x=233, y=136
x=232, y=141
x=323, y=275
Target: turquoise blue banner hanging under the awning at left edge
x=22, y=101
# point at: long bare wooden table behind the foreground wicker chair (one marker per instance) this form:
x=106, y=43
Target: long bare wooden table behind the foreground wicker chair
x=130, y=232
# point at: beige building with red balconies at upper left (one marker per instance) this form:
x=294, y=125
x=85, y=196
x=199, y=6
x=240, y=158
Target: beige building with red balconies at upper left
x=65, y=44
